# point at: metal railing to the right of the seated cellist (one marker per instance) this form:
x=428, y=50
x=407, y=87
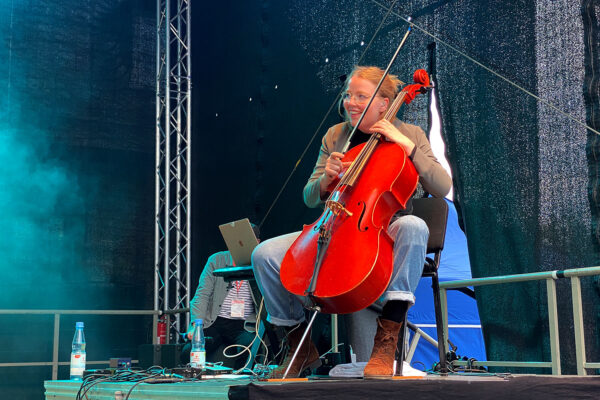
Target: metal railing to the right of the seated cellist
x=550, y=277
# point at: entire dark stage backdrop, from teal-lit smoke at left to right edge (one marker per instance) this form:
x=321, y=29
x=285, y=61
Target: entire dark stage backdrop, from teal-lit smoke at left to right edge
x=77, y=128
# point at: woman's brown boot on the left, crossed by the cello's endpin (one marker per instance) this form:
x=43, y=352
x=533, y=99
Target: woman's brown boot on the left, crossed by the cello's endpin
x=308, y=356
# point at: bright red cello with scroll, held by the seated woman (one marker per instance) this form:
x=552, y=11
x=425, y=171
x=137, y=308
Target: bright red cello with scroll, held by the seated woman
x=343, y=261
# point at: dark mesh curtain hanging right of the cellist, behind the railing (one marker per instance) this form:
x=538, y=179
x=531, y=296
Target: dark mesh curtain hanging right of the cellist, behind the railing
x=521, y=170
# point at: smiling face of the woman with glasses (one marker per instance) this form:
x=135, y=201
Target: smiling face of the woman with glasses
x=357, y=96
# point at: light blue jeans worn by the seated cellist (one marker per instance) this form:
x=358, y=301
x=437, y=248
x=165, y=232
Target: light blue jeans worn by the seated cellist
x=410, y=236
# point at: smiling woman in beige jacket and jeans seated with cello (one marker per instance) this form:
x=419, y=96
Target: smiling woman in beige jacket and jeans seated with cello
x=408, y=232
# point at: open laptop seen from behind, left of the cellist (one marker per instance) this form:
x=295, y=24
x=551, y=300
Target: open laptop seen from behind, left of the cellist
x=240, y=240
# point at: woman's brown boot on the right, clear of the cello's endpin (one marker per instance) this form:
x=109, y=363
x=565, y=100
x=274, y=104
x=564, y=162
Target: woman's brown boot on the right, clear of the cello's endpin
x=381, y=363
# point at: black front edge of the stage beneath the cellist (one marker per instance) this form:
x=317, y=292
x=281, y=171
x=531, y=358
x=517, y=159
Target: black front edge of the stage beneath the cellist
x=455, y=388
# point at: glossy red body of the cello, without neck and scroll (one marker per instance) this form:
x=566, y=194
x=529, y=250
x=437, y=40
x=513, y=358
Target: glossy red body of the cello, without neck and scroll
x=357, y=266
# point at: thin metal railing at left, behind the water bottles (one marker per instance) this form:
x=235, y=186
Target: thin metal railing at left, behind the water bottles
x=57, y=314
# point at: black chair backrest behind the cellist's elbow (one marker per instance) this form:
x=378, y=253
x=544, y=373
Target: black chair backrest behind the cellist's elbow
x=434, y=211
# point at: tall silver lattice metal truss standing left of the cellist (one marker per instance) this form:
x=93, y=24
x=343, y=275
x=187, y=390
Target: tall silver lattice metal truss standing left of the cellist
x=173, y=163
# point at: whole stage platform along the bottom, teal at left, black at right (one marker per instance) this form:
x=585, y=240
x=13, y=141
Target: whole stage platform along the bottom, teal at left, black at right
x=457, y=387
